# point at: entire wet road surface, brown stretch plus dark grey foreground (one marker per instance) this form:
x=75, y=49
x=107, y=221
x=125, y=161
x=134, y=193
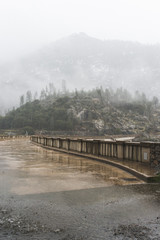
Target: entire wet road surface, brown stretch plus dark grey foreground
x=64, y=199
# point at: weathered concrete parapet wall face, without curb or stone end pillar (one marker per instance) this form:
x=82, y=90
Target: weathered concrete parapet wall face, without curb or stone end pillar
x=140, y=152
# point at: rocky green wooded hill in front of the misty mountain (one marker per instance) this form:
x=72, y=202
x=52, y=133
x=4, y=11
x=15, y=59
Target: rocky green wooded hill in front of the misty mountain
x=95, y=112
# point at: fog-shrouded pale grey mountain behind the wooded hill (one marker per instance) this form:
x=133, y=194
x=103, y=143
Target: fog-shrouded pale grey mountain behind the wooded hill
x=83, y=62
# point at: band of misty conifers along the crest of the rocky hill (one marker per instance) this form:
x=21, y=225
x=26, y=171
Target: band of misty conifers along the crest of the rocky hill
x=119, y=95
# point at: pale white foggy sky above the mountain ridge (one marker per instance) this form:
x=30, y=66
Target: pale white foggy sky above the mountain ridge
x=26, y=25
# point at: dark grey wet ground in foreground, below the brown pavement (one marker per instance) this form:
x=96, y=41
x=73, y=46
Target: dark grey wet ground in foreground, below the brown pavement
x=116, y=212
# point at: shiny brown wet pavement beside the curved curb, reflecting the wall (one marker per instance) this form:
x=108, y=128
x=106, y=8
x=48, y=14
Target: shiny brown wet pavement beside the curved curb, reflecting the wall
x=32, y=169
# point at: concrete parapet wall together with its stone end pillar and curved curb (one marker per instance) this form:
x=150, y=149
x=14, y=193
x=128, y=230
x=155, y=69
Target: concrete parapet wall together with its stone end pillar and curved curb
x=105, y=151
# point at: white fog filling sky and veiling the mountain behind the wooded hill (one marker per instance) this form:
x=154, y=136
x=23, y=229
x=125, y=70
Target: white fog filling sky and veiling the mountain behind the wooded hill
x=82, y=44
